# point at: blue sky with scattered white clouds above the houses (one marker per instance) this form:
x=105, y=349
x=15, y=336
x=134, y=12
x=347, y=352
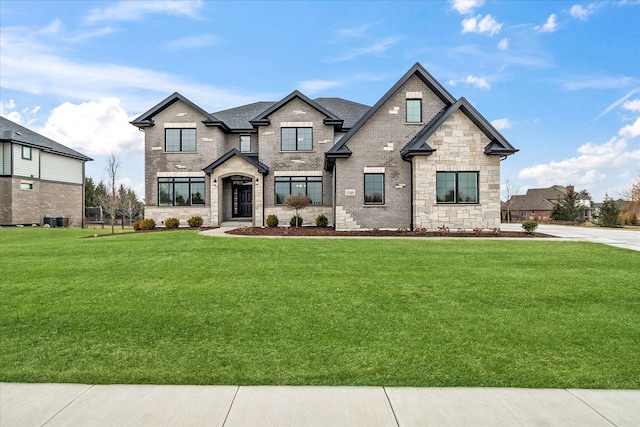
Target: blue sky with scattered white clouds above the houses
x=560, y=79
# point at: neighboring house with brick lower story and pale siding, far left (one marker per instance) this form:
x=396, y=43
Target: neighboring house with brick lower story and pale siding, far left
x=38, y=178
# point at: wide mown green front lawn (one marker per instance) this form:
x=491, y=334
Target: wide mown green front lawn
x=179, y=308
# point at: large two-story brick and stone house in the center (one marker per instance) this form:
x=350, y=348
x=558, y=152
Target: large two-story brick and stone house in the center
x=418, y=158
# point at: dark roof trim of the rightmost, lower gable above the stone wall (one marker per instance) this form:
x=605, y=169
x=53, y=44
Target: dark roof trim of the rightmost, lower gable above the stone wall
x=498, y=145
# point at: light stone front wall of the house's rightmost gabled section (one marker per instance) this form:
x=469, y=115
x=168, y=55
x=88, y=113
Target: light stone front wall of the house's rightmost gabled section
x=459, y=147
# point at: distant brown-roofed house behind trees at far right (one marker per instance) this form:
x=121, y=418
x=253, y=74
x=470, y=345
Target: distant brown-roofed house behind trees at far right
x=538, y=204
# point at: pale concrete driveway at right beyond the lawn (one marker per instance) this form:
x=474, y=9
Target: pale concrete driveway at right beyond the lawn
x=621, y=238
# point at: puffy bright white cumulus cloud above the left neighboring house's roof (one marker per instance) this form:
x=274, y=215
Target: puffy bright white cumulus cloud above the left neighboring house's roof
x=95, y=127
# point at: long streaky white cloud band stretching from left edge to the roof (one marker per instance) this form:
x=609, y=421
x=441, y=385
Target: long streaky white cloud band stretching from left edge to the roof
x=23, y=51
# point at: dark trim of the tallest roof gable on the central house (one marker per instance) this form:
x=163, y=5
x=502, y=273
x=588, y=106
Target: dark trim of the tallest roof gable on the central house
x=423, y=75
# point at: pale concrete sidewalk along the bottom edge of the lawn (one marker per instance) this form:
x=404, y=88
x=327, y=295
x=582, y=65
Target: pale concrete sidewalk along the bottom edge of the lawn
x=157, y=405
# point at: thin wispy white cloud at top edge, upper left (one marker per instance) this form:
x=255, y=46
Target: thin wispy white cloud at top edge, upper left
x=136, y=10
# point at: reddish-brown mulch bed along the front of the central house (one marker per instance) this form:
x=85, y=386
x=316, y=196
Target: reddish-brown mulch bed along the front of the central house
x=328, y=231
